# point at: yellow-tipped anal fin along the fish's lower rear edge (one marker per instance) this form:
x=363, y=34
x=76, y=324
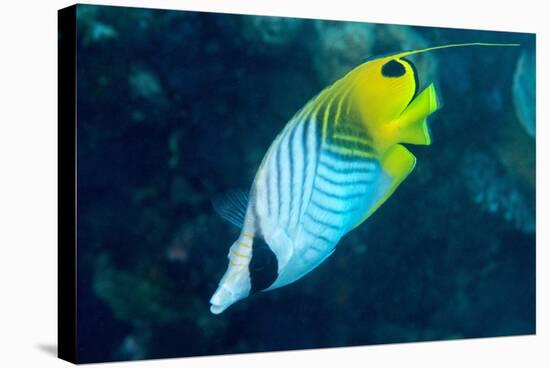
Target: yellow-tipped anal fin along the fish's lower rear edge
x=397, y=163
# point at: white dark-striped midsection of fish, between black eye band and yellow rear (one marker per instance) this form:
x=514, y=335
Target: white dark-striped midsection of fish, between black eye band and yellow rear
x=306, y=196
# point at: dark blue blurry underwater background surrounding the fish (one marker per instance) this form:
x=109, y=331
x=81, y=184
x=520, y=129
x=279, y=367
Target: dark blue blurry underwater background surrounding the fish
x=175, y=108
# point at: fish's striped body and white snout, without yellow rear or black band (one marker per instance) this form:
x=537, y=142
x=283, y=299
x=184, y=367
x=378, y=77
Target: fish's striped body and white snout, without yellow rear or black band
x=319, y=179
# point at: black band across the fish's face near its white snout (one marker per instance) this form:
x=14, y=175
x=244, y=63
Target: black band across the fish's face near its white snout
x=263, y=266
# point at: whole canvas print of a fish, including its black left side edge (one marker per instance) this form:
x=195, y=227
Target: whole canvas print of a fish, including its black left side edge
x=252, y=183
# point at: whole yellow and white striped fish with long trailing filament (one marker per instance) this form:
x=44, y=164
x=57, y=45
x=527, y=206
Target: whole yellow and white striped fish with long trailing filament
x=335, y=162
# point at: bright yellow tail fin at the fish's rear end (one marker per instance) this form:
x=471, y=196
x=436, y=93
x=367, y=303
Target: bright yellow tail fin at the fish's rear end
x=412, y=126
